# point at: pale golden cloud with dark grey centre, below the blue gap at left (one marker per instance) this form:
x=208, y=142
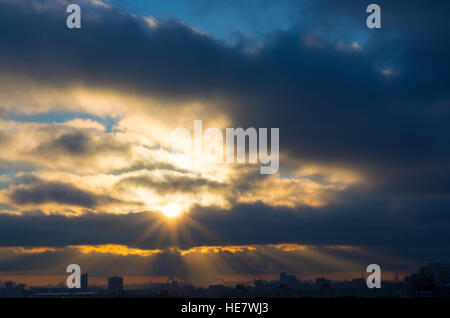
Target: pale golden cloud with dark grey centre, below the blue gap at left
x=61, y=145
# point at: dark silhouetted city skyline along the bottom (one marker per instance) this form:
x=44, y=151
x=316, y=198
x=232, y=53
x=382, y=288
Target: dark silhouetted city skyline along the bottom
x=432, y=280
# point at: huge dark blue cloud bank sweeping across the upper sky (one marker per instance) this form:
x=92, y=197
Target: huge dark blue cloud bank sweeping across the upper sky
x=363, y=120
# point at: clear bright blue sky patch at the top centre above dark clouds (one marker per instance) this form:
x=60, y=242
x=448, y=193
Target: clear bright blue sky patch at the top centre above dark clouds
x=230, y=21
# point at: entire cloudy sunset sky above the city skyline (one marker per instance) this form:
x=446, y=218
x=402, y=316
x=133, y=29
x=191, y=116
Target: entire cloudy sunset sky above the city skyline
x=87, y=174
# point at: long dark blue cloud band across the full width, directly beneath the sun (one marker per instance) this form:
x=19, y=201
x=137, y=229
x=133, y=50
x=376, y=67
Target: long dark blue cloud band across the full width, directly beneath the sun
x=412, y=229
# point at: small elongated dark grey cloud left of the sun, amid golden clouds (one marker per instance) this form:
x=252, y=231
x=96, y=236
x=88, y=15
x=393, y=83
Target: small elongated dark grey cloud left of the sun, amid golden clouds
x=41, y=192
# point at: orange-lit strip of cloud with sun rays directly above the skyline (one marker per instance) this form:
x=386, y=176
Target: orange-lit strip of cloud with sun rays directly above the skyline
x=200, y=266
